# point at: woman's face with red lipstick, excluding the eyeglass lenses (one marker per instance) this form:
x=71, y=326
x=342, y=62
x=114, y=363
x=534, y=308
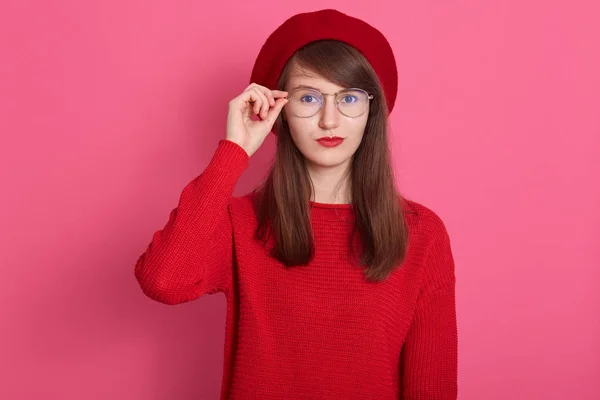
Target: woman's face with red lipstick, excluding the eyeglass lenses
x=328, y=122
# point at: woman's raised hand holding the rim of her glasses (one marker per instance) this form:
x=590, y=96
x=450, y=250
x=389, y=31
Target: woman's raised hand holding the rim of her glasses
x=255, y=100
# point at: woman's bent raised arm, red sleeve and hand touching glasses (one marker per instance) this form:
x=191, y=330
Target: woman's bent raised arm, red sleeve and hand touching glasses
x=192, y=255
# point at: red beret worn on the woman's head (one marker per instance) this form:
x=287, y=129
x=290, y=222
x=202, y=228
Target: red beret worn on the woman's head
x=301, y=29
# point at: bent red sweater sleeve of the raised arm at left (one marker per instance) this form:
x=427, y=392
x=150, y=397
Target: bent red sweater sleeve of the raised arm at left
x=192, y=254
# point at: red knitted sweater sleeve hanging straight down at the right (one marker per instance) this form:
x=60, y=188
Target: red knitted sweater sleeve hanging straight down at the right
x=429, y=357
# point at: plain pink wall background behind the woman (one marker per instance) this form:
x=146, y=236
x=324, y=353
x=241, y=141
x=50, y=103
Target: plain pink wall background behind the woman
x=110, y=107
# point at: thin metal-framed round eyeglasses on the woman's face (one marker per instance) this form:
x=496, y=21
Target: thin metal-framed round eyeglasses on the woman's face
x=307, y=102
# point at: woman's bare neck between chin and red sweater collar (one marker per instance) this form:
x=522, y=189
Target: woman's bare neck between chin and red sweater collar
x=331, y=184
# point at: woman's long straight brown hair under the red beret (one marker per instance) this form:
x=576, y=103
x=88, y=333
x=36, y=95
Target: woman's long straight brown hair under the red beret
x=282, y=201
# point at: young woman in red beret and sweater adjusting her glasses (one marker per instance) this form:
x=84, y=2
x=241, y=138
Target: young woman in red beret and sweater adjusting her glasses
x=337, y=287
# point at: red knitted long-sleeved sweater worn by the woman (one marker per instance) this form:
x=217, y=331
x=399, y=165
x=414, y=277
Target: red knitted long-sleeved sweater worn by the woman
x=312, y=332
